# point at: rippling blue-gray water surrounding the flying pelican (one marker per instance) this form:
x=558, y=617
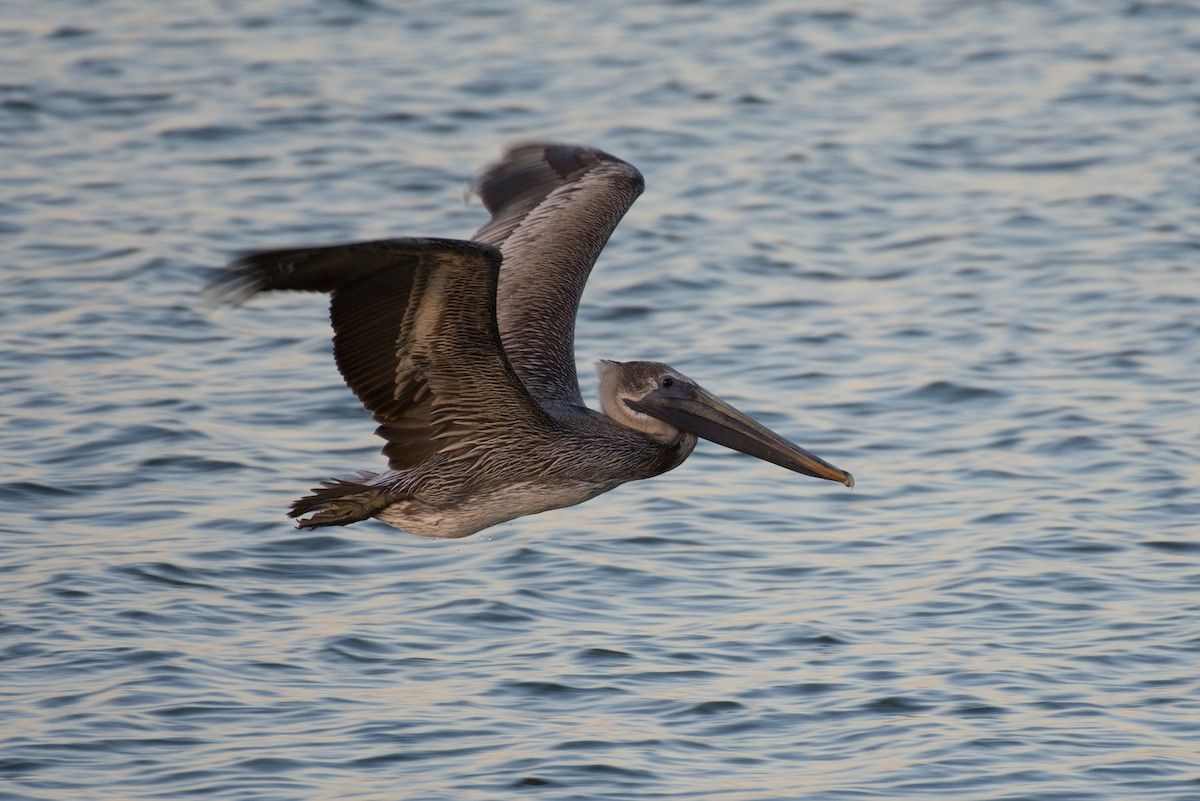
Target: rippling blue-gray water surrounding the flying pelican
x=950, y=246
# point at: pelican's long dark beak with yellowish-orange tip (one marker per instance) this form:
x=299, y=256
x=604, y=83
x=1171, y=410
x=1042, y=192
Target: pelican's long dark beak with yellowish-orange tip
x=710, y=418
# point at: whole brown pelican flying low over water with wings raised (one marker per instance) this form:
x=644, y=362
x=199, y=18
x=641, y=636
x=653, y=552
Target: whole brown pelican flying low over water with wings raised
x=464, y=353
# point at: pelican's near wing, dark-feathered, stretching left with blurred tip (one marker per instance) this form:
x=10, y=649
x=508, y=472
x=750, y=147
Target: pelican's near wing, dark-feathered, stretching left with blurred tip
x=415, y=335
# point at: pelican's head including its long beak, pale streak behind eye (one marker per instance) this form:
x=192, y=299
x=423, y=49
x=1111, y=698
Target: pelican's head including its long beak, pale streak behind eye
x=659, y=401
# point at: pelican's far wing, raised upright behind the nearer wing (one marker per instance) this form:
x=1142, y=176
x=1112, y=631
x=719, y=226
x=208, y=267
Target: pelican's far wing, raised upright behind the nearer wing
x=554, y=208
